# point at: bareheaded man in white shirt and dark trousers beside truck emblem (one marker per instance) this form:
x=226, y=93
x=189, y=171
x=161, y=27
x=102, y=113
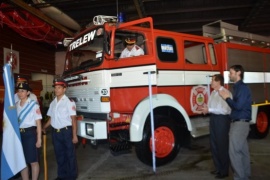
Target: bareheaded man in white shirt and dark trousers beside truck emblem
x=219, y=127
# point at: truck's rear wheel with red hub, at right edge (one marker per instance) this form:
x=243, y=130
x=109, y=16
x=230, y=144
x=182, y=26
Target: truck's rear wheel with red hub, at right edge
x=261, y=128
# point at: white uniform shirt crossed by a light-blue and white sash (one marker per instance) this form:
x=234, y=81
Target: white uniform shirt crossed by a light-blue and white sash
x=33, y=115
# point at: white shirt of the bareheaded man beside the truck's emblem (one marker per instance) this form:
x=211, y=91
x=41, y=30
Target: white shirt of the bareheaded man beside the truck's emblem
x=217, y=105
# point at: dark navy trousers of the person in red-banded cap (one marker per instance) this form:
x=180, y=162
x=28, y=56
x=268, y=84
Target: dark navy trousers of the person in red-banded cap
x=65, y=154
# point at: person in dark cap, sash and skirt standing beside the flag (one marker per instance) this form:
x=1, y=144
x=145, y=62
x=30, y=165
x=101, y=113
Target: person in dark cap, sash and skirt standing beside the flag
x=29, y=117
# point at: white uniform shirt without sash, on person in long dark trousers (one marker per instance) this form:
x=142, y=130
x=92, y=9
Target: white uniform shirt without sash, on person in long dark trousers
x=61, y=111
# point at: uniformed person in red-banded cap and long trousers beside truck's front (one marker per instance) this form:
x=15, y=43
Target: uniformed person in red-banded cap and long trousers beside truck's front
x=62, y=118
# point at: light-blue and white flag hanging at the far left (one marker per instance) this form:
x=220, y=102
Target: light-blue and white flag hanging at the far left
x=12, y=157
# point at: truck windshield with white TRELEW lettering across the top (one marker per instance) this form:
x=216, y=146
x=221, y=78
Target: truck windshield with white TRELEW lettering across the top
x=85, y=51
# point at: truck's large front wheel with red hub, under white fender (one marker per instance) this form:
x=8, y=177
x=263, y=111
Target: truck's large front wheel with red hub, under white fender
x=167, y=143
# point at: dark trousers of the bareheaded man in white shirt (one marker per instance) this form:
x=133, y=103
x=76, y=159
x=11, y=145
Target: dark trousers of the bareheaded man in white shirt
x=219, y=142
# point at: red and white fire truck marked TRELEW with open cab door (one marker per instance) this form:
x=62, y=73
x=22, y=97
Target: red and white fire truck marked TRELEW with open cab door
x=112, y=94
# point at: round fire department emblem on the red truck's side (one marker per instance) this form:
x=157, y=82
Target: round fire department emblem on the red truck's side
x=198, y=98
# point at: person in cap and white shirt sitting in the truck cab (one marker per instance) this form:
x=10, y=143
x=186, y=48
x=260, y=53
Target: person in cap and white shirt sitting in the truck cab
x=131, y=49
